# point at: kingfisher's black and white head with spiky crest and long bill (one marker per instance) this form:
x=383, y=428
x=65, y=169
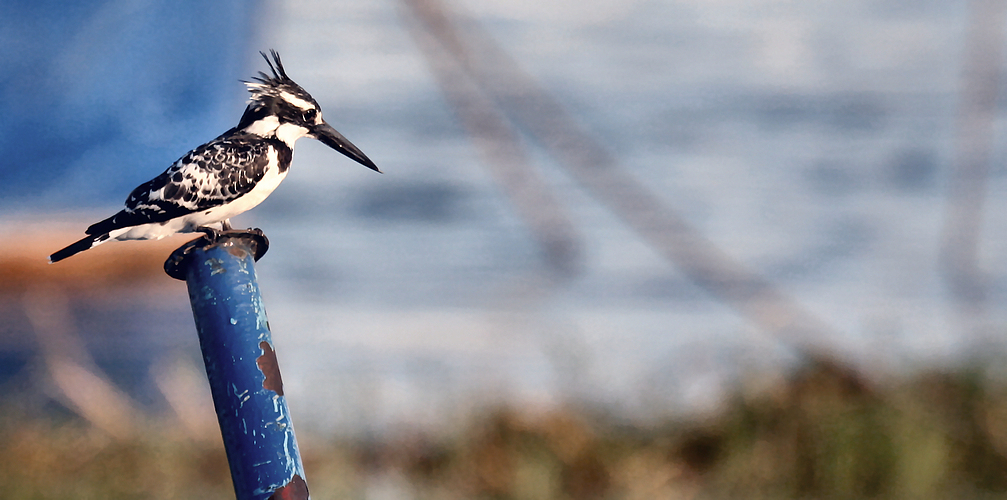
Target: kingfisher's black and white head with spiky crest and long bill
x=280, y=109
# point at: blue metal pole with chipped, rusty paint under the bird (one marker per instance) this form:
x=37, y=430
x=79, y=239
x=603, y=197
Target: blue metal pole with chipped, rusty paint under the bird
x=241, y=364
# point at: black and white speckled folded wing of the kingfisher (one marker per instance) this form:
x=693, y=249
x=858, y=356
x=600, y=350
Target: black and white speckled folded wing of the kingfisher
x=209, y=177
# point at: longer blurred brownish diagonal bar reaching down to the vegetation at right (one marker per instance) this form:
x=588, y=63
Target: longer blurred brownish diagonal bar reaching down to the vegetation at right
x=586, y=158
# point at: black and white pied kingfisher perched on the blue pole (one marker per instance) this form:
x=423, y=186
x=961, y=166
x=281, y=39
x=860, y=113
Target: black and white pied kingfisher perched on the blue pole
x=229, y=176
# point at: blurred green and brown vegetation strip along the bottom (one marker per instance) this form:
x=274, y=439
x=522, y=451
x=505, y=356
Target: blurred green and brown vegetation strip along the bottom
x=823, y=434
